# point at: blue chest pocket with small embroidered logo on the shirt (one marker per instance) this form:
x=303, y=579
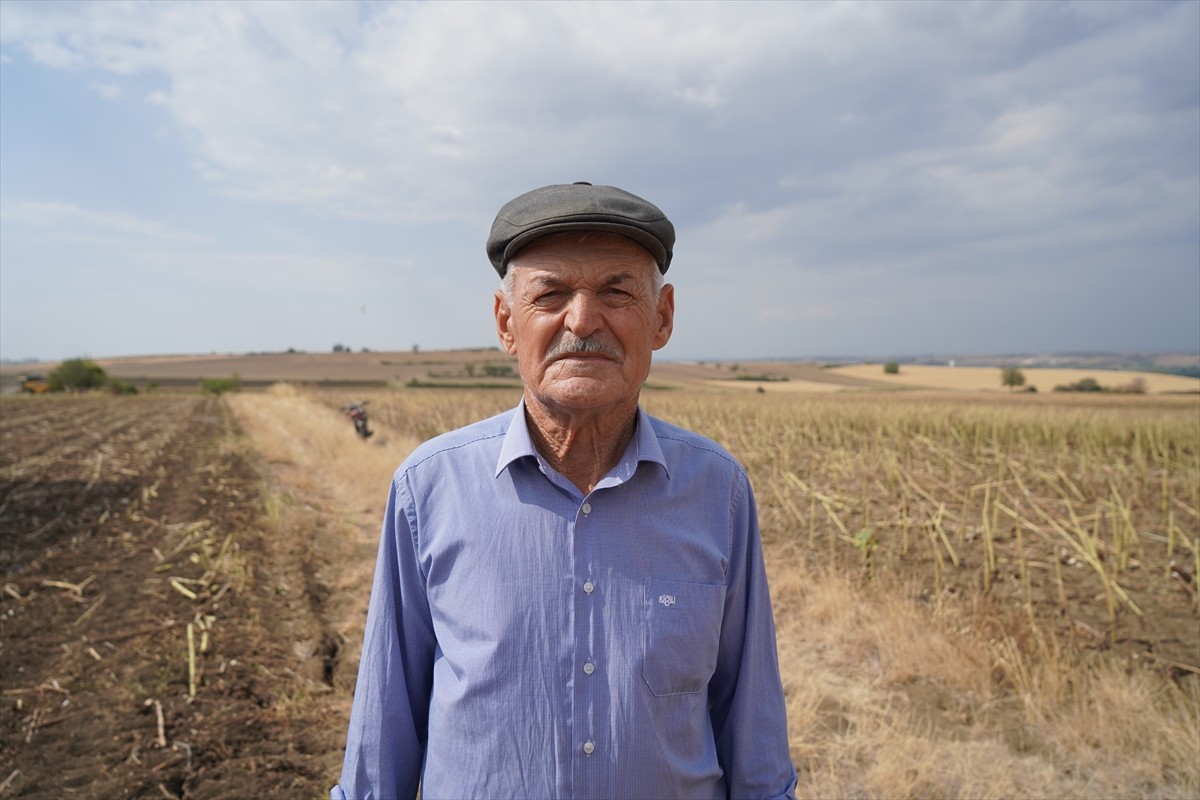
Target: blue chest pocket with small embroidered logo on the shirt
x=683, y=630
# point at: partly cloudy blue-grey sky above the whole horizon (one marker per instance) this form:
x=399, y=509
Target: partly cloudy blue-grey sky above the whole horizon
x=847, y=179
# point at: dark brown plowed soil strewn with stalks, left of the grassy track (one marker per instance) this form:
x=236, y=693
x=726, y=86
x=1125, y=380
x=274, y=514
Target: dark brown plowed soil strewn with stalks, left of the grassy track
x=134, y=534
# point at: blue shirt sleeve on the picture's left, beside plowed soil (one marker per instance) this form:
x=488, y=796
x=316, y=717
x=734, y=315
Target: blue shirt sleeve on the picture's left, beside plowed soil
x=389, y=720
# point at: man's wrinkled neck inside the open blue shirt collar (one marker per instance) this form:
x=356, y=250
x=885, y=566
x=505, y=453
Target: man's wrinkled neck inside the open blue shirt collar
x=581, y=446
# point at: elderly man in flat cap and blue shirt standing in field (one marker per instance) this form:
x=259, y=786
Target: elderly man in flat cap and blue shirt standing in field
x=571, y=598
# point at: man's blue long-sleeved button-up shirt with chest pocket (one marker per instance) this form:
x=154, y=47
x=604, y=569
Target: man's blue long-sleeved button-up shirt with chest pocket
x=529, y=641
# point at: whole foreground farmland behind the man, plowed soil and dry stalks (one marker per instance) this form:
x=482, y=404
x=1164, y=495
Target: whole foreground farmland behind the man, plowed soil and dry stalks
x=977, y=596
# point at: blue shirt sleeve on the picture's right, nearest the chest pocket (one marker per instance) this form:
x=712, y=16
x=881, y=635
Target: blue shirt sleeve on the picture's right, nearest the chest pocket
x=748, y=709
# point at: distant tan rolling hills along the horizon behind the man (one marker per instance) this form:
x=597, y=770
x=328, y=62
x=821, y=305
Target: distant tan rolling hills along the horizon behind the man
x=494, y=368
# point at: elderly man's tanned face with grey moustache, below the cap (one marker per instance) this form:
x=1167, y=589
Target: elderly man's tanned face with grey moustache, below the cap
x=585, y=320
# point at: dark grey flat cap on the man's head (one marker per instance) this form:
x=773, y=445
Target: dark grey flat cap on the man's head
x=579, y=207
